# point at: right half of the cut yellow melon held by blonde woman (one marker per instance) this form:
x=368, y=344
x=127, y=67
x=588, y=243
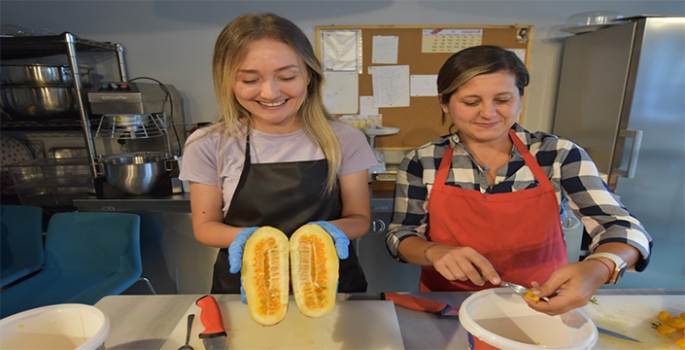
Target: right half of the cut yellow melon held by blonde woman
x=314, y=270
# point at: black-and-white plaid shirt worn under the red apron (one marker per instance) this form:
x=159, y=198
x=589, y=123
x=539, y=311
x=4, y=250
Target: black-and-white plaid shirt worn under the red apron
x=574, y=176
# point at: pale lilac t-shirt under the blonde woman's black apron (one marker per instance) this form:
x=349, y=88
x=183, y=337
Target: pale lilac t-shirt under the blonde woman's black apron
x=202, y=162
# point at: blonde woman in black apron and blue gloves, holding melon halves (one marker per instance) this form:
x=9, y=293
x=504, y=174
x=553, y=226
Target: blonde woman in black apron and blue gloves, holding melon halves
x=276, y=157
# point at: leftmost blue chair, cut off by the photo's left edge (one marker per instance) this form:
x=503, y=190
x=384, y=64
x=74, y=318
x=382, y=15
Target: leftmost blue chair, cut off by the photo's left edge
x=21, y=242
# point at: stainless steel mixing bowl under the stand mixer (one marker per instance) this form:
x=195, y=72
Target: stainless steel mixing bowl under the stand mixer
x=135, y=173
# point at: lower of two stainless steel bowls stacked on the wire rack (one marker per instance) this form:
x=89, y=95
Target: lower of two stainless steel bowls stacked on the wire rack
x=38, y=101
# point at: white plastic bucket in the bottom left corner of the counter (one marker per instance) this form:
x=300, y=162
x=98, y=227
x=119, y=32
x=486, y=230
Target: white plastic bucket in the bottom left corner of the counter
x=61, y=326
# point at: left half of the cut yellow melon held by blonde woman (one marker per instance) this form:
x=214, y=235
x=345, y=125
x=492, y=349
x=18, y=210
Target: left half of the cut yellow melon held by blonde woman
x=265, y=275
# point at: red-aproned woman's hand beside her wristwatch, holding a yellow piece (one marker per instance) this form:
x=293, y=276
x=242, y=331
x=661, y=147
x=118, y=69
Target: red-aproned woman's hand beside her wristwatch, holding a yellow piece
x=569, y=287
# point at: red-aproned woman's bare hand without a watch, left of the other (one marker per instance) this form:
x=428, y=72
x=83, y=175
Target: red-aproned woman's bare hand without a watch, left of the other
x=461, y=263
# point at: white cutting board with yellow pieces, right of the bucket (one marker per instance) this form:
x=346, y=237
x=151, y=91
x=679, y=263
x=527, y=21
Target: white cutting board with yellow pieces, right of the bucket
x=632, y=315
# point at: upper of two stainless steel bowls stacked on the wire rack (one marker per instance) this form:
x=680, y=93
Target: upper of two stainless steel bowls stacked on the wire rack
x=42, y=75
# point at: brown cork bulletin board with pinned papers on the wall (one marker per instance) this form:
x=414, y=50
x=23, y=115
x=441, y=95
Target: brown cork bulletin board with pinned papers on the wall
x=423, y=48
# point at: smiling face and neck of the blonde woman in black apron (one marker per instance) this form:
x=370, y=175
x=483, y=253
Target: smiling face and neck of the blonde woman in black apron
x=271, y=84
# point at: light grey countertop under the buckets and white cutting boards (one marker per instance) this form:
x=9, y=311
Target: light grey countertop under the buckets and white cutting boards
x=146, y=321
